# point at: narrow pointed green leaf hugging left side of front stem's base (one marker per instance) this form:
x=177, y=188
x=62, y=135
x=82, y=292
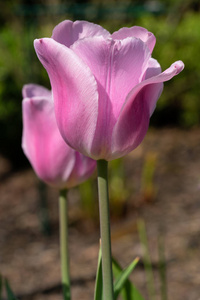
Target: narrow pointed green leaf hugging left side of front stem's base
x=98, y=294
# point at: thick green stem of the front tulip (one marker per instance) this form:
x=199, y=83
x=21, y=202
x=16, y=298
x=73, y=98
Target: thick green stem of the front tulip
x=102, y=167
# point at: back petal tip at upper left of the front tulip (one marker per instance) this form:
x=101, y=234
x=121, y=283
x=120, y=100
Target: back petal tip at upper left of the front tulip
x=68, y=32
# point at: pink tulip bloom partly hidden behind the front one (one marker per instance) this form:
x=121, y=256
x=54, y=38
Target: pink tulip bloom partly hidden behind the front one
x=52, y=159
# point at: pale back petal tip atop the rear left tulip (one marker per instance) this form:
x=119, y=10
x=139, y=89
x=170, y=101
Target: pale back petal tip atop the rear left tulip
x=34, y=90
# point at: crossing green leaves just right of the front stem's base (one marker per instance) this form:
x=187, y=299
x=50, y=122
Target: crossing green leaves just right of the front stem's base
x=123, y=285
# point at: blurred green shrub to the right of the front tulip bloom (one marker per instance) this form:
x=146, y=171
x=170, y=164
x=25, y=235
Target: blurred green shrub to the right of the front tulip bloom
x=178, y=40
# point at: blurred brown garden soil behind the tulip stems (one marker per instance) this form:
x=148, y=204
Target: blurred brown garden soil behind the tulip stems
x=160, y=185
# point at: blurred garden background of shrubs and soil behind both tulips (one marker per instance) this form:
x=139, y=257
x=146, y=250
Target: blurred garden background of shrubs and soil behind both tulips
x=159, y=182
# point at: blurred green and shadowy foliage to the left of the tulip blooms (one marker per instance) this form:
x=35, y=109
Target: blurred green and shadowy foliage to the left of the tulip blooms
x=18, y=66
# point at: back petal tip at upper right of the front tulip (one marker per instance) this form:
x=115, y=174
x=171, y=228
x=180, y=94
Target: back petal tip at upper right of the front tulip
x=137, y=32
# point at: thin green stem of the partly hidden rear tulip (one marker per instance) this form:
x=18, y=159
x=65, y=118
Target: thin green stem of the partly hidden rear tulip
x=64, y=252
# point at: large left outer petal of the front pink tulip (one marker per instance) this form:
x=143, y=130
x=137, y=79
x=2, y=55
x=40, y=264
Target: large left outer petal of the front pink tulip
x=74, y=91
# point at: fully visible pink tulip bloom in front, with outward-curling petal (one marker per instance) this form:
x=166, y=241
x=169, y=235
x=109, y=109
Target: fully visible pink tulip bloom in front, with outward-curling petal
x=105, y=86
